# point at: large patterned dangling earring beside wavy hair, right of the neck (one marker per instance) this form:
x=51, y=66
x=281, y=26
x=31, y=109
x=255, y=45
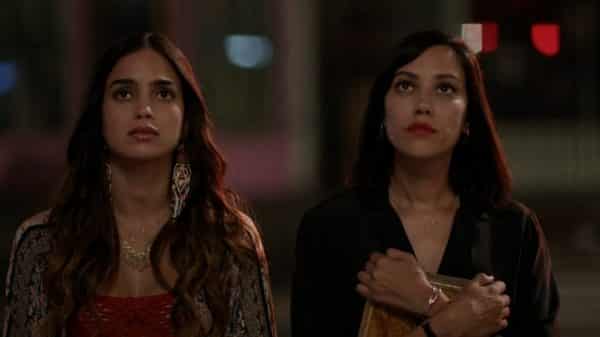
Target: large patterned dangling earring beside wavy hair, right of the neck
x=180, y=183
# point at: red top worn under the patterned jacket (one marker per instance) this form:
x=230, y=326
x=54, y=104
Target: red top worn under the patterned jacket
x=146, y=316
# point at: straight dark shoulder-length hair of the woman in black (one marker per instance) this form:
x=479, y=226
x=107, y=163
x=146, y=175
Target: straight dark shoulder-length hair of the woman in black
x=478, y=168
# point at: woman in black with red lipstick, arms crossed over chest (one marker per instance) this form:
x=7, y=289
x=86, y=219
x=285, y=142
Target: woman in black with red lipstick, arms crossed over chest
x=430, y=194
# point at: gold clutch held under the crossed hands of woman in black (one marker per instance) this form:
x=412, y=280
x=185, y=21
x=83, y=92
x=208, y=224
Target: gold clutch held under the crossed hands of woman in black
x=379, y=321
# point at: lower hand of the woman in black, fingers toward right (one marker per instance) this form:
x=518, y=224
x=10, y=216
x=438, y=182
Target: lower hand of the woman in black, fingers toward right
x=481, y=309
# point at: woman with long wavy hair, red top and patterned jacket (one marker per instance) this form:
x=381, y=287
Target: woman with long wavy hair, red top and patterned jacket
x=144, y=240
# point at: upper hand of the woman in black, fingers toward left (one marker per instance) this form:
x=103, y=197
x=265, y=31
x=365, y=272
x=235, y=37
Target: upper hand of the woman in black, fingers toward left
x=396, y=280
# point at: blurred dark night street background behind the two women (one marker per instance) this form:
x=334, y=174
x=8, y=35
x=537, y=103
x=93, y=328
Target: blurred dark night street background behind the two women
x=287, y=82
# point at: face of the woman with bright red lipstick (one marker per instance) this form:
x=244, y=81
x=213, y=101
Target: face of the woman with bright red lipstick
x=426, y=104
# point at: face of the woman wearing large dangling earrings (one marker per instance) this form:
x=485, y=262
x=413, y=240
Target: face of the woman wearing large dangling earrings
x=142, y=110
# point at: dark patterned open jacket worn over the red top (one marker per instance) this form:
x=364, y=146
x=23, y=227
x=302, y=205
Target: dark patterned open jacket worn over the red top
x=27, y=305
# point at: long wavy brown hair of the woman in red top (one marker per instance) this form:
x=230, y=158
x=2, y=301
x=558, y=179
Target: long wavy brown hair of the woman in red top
x=210, y=231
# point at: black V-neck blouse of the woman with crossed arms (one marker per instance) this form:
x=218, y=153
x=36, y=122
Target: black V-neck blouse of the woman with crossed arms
x=336, y=238
